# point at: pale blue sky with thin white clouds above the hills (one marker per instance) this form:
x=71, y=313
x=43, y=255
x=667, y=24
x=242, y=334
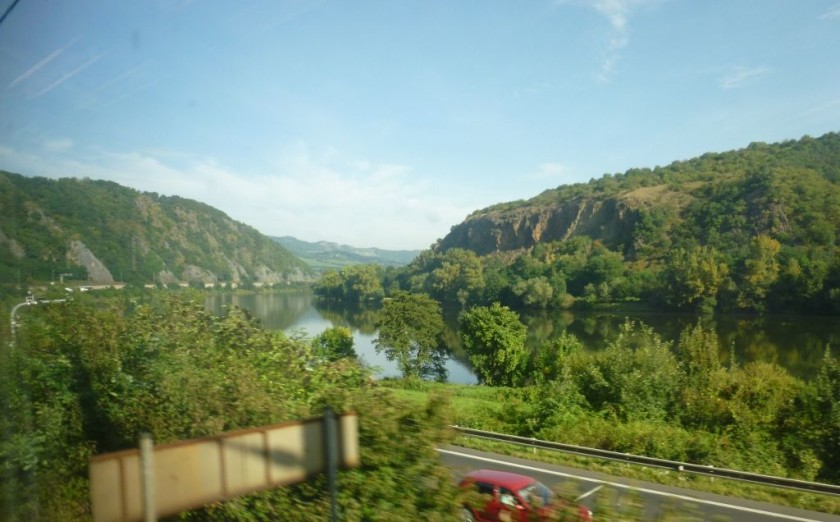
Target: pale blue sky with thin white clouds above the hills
x=384, y=123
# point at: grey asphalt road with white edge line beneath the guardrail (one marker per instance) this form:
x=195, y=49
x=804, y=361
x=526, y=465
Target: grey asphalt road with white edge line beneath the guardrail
x=658, y=499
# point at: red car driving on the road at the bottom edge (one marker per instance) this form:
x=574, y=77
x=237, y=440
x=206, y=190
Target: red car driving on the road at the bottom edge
x=512, y=497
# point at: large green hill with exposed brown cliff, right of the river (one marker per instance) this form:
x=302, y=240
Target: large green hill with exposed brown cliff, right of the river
x=789, y=191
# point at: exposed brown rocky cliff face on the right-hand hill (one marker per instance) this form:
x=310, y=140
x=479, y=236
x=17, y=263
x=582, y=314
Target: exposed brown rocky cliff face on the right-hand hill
x=609, y=220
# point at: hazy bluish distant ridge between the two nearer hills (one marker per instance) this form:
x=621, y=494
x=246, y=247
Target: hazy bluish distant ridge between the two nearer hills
x=325, y=254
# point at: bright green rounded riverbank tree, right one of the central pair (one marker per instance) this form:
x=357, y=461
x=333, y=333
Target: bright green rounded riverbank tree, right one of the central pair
x=494, y=338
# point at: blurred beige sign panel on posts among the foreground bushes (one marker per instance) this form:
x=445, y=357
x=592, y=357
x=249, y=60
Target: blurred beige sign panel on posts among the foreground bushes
x=166, y=479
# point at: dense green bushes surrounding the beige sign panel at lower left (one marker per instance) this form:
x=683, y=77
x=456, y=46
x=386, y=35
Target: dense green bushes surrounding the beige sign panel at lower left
x=86, y=377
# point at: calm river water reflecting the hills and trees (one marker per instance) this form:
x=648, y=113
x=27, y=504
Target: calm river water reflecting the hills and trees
x=796, y=343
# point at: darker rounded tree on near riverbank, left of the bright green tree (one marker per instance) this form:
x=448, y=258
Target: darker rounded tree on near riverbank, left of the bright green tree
x=410, y=329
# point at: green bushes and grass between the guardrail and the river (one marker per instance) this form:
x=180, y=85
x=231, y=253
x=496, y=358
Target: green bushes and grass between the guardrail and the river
x=684, y=401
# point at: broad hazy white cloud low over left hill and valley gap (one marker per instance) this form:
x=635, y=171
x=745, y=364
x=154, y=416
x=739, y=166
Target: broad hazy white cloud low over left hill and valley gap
x=309, y=195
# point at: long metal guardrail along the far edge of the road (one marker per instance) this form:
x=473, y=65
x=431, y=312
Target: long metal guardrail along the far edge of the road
x=649, y=461
